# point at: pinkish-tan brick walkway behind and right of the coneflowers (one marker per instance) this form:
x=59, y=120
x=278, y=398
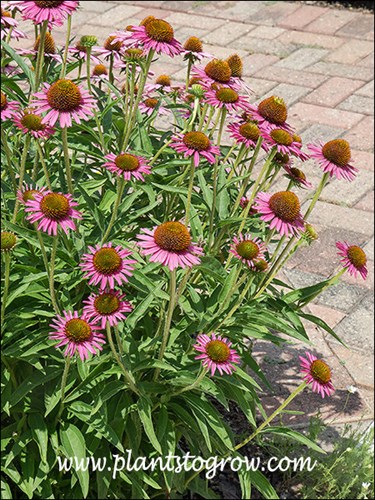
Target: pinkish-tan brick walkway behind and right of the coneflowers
x=320, y=60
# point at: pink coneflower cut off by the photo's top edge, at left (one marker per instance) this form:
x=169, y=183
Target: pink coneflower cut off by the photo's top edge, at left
x=54, y=12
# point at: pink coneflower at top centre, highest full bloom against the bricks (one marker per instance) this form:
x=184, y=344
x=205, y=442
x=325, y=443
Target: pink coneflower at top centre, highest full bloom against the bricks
x=157, y=35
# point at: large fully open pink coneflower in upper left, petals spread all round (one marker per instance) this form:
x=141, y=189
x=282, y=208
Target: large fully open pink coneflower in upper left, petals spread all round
x=64, y=101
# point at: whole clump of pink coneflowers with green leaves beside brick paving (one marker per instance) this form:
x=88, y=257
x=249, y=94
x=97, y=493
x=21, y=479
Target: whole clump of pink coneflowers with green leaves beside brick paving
x=144, y=224
